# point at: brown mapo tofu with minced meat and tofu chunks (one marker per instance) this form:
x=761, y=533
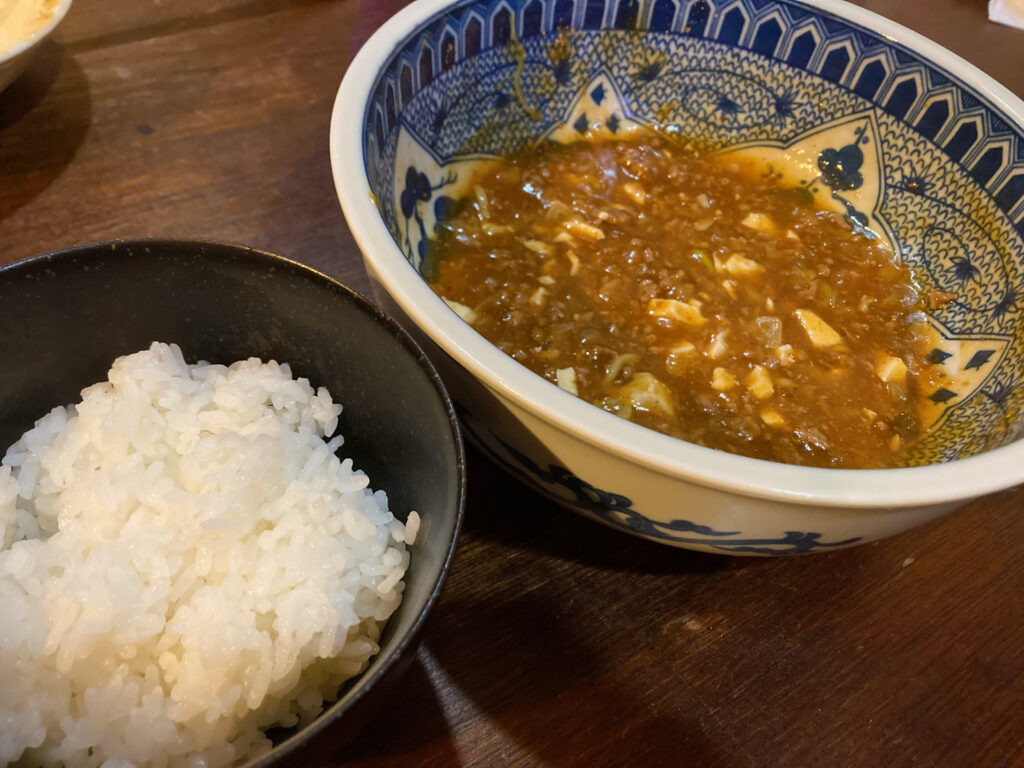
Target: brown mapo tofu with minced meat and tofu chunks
x=693, y=296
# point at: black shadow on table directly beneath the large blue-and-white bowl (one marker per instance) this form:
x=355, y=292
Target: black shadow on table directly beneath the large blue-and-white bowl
x=501, y=509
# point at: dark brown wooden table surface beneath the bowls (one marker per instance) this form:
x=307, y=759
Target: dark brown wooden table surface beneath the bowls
x=558, y=643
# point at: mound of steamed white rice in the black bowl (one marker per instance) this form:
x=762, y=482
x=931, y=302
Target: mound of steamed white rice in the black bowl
x=184, y=562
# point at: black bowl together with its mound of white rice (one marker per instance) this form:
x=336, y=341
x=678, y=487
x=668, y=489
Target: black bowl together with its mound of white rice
x=230, y=496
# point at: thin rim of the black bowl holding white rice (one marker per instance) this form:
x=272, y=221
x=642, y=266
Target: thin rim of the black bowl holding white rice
x=242, y=252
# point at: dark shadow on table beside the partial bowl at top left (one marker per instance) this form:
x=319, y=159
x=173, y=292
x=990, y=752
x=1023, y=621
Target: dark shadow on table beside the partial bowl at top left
x=45, y=117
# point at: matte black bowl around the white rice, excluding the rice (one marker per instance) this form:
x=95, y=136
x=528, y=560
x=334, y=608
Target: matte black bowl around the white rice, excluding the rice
x=67, y=315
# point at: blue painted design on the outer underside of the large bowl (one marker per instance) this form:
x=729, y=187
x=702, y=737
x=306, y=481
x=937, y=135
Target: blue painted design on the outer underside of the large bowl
x=617, y=510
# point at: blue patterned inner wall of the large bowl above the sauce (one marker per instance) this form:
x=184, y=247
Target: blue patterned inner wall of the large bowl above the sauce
x=903, y=147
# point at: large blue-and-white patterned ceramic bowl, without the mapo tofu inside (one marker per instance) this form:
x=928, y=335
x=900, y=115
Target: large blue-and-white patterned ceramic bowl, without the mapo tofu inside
x=883, y=124
